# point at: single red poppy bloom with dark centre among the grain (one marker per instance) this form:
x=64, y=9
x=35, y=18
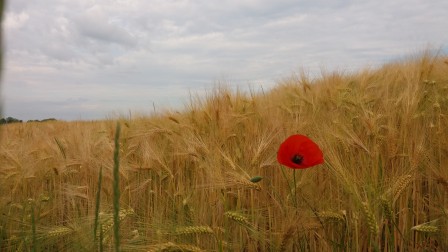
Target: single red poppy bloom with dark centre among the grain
x=299, y=152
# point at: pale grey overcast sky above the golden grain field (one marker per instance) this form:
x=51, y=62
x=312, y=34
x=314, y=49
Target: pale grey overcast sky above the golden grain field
x=90, y=59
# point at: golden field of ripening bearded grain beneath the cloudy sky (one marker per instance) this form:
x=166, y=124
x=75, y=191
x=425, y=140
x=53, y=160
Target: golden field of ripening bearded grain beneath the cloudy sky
x=187, y=181
